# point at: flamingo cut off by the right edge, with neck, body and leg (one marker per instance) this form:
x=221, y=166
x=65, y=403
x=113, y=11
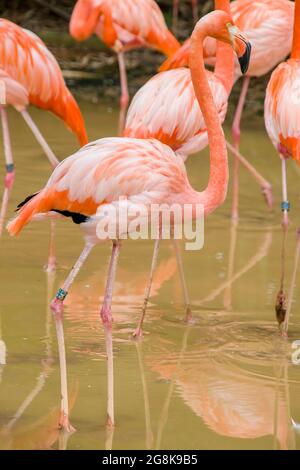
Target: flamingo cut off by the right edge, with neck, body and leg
x=282, y=120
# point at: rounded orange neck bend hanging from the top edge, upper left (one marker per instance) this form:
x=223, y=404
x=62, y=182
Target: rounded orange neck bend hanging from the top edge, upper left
x=85, y=18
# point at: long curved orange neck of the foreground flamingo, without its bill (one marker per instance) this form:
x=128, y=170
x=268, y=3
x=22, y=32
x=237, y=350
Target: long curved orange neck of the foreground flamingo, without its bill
x=215, y=193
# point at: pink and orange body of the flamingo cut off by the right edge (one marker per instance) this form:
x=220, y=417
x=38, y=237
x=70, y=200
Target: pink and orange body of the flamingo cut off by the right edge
x=282, y=109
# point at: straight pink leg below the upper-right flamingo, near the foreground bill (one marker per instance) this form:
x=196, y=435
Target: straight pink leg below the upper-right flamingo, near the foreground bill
x=236, y=135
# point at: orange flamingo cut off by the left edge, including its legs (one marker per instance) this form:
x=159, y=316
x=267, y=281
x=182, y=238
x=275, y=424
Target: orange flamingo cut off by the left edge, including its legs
x=29, y=74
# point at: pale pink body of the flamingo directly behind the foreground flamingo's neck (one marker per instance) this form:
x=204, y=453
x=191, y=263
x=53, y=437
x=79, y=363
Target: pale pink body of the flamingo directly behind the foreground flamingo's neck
x=166, y=108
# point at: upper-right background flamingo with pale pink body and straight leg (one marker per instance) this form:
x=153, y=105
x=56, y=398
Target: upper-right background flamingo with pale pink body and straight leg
x=272, y=22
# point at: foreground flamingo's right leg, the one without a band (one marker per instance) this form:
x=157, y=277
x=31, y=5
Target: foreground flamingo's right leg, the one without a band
x=107, y=320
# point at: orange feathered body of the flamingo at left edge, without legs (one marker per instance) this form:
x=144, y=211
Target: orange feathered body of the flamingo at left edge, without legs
x=26, y=61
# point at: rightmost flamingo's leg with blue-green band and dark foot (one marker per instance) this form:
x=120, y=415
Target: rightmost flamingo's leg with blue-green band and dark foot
x=280, y=306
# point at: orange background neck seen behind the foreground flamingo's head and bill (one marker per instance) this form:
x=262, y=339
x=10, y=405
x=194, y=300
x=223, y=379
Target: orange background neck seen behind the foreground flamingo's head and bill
x=224, y=69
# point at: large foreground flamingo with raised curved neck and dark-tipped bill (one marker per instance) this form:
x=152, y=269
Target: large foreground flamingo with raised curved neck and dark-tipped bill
x=89, y=184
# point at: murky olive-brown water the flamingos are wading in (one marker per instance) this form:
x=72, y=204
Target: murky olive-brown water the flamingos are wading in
x=225, y=382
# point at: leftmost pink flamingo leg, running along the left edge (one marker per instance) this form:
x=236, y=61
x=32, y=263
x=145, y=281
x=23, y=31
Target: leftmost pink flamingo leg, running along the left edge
x=10, y=174
